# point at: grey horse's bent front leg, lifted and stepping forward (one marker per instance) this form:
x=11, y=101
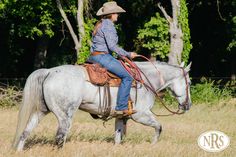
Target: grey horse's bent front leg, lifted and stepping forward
x=147, y=118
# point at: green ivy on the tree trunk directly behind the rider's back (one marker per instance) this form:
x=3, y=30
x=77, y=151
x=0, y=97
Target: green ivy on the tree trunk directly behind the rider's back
x=84, y=52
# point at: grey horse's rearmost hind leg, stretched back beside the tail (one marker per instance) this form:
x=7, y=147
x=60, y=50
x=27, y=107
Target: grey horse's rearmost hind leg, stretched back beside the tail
x=33, y=122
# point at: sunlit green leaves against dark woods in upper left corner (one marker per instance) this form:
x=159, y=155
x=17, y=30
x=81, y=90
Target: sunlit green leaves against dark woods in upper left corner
x=34, y=18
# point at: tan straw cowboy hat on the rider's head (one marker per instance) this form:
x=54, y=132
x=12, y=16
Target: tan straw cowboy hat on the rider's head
x=109, y=8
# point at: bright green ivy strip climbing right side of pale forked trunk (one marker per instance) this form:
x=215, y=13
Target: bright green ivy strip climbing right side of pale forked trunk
x=183, y=21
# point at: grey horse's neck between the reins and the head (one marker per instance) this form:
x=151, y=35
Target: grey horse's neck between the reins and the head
x=159, y=72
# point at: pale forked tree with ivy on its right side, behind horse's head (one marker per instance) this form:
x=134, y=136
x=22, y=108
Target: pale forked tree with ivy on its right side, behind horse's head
x=179, y=38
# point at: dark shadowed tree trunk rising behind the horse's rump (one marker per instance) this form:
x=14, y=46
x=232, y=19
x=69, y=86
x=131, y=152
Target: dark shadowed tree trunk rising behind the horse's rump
x=41, y=52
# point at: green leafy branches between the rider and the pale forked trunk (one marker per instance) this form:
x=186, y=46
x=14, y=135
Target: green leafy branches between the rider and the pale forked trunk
x=155, y=36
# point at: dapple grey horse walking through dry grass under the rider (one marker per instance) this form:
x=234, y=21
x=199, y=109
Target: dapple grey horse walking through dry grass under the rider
x=64, y=89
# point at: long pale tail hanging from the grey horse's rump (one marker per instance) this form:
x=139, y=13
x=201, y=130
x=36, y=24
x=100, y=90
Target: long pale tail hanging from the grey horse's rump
x=32, y=100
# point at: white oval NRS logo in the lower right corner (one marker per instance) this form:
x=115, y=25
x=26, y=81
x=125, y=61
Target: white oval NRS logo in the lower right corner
x=213, y=141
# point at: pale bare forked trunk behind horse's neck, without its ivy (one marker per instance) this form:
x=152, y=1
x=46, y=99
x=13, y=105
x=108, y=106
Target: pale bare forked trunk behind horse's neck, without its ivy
x=176, y=41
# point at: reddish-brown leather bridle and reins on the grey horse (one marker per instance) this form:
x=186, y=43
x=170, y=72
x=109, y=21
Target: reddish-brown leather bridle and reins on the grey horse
x=155, y=92
